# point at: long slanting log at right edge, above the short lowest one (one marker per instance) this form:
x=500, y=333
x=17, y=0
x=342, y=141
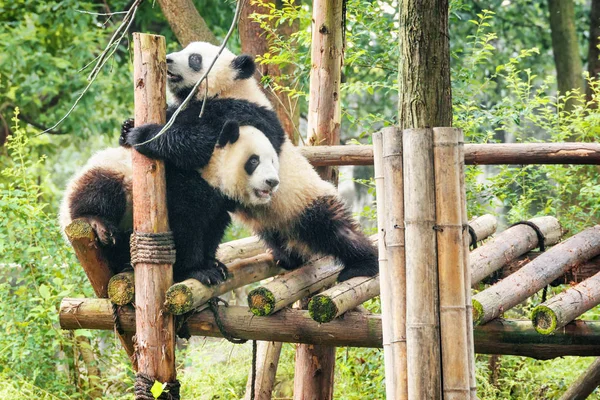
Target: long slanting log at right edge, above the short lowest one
x=509, y=292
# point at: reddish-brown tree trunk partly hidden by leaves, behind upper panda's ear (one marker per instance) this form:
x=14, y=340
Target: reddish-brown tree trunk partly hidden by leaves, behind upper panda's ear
x=255, y=41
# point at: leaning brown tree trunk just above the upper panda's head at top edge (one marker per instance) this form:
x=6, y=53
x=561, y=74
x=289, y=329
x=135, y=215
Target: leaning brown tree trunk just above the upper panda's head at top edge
x=186, y=22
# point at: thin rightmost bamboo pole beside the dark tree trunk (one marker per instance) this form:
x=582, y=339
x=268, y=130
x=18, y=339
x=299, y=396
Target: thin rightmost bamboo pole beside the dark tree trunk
x=467, y=264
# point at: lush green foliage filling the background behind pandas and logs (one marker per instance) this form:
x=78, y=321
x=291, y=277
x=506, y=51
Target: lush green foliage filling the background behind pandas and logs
x=503, y=90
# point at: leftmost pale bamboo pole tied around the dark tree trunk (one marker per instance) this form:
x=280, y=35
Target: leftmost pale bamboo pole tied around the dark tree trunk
x=387, y=151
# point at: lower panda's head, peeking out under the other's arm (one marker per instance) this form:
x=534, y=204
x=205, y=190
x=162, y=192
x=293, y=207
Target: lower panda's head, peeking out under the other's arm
x=248, y=165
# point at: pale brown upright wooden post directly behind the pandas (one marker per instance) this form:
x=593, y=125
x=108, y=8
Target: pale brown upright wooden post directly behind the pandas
x=315, y=364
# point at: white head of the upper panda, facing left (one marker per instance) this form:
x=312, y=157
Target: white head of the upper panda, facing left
x=230, y=77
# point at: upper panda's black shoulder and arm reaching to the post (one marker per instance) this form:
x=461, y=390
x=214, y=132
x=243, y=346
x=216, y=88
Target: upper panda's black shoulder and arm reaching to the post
x=190, y=142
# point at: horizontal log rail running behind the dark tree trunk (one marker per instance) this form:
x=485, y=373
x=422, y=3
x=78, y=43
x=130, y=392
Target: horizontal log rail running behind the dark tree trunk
x=475, y=154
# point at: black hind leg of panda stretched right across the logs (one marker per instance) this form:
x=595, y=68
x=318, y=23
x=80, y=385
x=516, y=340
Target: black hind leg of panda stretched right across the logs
x=327, y=227
